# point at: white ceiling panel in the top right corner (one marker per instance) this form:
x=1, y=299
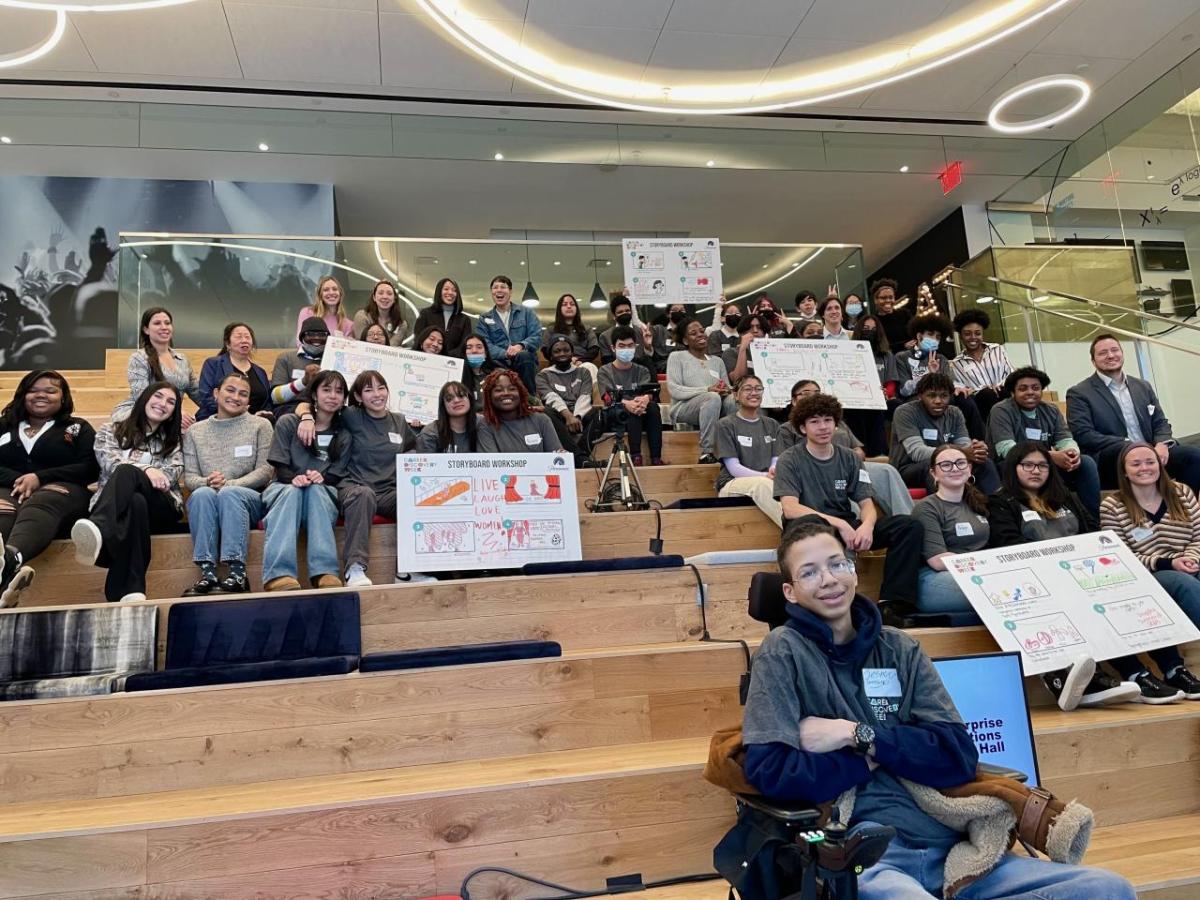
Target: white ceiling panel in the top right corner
x=1118, y=29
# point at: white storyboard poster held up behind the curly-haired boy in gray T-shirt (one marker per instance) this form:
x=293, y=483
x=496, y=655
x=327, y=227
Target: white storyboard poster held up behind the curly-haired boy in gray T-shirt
x=844, y=369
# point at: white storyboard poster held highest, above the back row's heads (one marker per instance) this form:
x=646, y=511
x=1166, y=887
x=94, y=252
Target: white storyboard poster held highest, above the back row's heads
x=665, y=271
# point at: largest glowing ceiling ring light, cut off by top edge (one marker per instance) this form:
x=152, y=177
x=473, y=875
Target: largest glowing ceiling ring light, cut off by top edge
x=928, y=51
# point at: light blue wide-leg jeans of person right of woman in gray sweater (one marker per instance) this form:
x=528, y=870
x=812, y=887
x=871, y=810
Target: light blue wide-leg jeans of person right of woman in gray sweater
x=289, y=508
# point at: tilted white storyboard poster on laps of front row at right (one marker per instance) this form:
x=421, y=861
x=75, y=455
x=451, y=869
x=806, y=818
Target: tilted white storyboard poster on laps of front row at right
x=1054, y=601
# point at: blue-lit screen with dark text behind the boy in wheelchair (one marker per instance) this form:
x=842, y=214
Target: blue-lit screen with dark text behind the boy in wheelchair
x=989, y=692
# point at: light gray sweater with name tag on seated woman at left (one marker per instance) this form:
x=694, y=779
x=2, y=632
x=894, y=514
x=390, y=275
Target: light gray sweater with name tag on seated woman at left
x=237, y=448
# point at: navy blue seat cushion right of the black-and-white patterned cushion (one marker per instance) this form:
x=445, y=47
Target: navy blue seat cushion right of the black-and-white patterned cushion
x=283, y=628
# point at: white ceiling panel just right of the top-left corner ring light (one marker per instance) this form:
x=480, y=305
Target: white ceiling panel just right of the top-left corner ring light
x=189, y=40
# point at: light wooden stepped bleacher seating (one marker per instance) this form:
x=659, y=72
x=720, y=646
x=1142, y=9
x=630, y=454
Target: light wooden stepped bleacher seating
x=573, y=770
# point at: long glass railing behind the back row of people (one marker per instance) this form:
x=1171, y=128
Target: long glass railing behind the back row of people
x=209, y=280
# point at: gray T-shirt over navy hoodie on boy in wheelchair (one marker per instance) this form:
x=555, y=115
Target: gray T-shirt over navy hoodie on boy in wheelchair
x=794, y=680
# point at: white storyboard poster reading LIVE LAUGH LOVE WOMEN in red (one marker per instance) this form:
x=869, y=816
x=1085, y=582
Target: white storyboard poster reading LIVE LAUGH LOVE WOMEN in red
x=459, y=512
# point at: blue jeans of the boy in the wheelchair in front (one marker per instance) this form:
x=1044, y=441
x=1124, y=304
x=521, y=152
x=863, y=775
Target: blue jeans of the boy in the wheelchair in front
x=910, y=874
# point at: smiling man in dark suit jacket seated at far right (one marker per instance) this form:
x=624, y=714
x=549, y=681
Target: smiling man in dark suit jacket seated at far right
x=1112, y=409
